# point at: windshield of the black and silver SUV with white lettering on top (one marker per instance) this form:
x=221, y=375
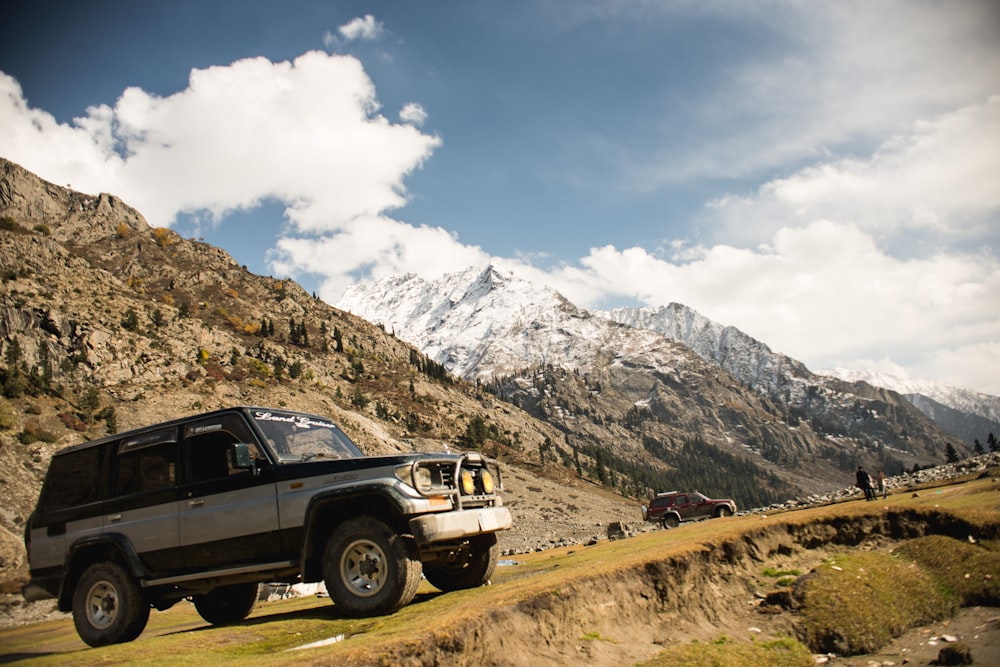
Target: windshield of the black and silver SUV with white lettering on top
x=295, y=436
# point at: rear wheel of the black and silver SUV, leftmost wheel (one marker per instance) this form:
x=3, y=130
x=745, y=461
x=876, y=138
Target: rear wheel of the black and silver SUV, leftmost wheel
x=108, y=607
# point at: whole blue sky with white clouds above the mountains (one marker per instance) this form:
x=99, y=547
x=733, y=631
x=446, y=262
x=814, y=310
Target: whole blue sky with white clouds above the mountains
x=823, y=176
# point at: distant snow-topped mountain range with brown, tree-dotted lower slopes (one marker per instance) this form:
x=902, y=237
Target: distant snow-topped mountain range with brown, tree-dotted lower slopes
x=651, y=411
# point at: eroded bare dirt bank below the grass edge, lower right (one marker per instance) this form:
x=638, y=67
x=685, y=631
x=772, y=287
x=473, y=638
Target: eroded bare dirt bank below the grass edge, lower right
x=629, y=615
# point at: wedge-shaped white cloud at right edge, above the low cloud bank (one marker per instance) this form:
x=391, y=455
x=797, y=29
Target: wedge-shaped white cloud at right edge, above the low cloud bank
x=939, y=177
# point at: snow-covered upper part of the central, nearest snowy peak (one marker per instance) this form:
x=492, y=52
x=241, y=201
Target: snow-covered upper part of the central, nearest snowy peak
x=482, y=322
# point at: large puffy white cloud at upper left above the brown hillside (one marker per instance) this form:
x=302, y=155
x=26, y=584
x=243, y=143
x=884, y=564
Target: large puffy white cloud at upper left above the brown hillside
x=305, y=132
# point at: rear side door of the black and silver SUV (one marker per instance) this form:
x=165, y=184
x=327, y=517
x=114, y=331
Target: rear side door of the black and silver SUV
x=142, y=505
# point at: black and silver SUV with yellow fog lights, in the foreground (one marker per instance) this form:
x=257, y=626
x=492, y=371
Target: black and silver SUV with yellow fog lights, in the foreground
x=208, y=507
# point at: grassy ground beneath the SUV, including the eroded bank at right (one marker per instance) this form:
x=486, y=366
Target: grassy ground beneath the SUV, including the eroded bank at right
x=854, y=600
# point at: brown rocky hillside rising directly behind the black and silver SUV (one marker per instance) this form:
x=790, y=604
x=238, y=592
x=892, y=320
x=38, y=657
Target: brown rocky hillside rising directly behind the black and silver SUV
x=107, y=324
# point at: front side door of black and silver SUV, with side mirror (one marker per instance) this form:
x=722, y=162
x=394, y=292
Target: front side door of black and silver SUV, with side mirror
x=228, y=514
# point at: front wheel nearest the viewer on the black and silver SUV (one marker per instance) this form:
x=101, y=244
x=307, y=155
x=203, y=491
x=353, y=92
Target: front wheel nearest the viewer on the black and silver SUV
x=368, y=569
